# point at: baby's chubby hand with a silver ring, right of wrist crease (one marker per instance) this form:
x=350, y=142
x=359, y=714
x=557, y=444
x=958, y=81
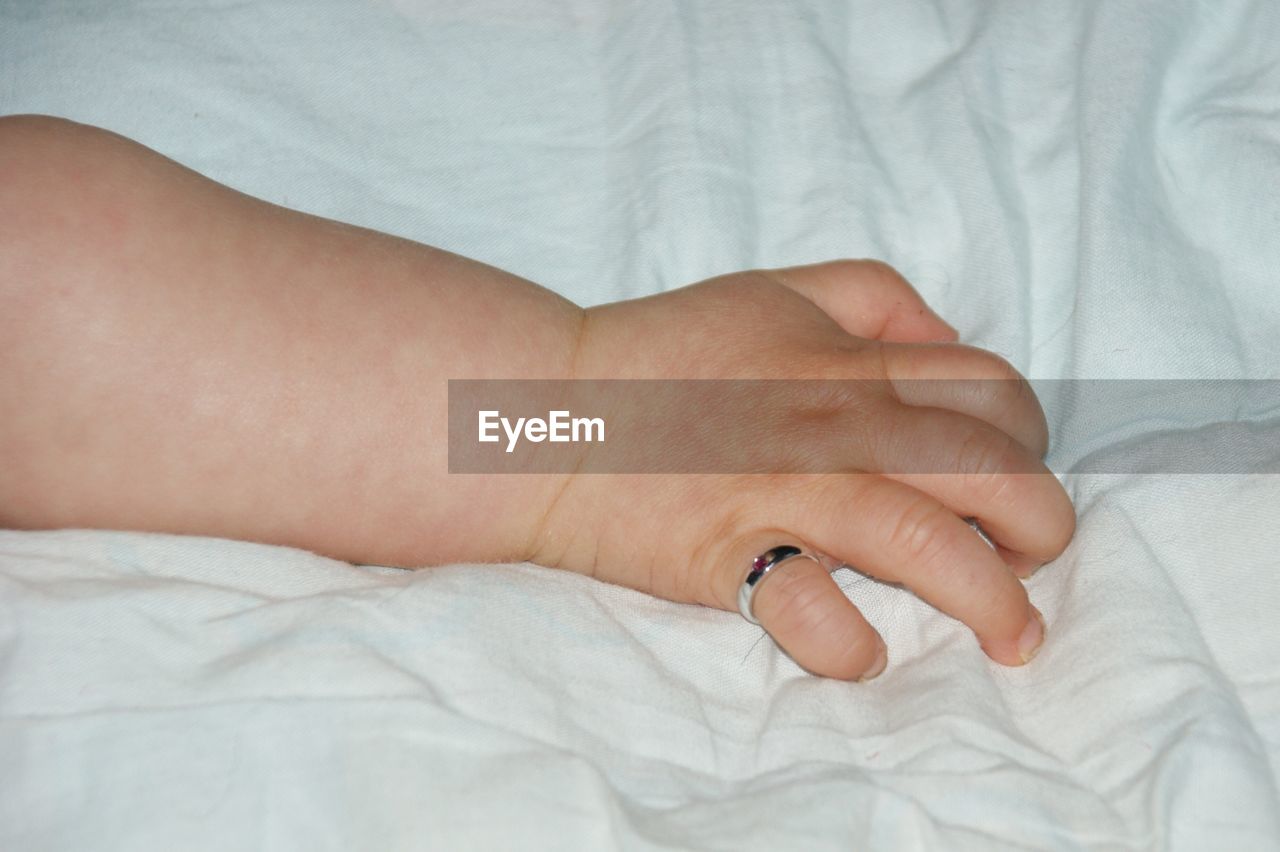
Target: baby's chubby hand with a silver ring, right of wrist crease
x=693, y=538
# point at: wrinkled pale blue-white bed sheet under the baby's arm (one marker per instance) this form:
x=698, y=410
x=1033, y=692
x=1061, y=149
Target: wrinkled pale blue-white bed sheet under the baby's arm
x=1089, y=189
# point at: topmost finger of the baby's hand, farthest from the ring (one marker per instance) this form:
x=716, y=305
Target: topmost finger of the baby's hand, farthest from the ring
x=868, y=300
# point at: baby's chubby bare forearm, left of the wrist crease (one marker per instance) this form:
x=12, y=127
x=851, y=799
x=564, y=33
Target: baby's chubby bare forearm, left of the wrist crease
x=181, y=358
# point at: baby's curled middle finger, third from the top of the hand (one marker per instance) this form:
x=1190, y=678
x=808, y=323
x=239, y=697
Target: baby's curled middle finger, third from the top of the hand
x=979, y=471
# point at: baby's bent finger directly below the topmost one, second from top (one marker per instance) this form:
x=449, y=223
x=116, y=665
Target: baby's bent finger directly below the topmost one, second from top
x=971, y=382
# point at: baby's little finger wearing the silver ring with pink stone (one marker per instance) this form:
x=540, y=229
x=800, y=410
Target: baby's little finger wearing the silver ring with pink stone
x=803, y=610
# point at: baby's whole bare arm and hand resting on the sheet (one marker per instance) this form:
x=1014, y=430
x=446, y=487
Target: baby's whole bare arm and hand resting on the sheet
x=180, y=358
